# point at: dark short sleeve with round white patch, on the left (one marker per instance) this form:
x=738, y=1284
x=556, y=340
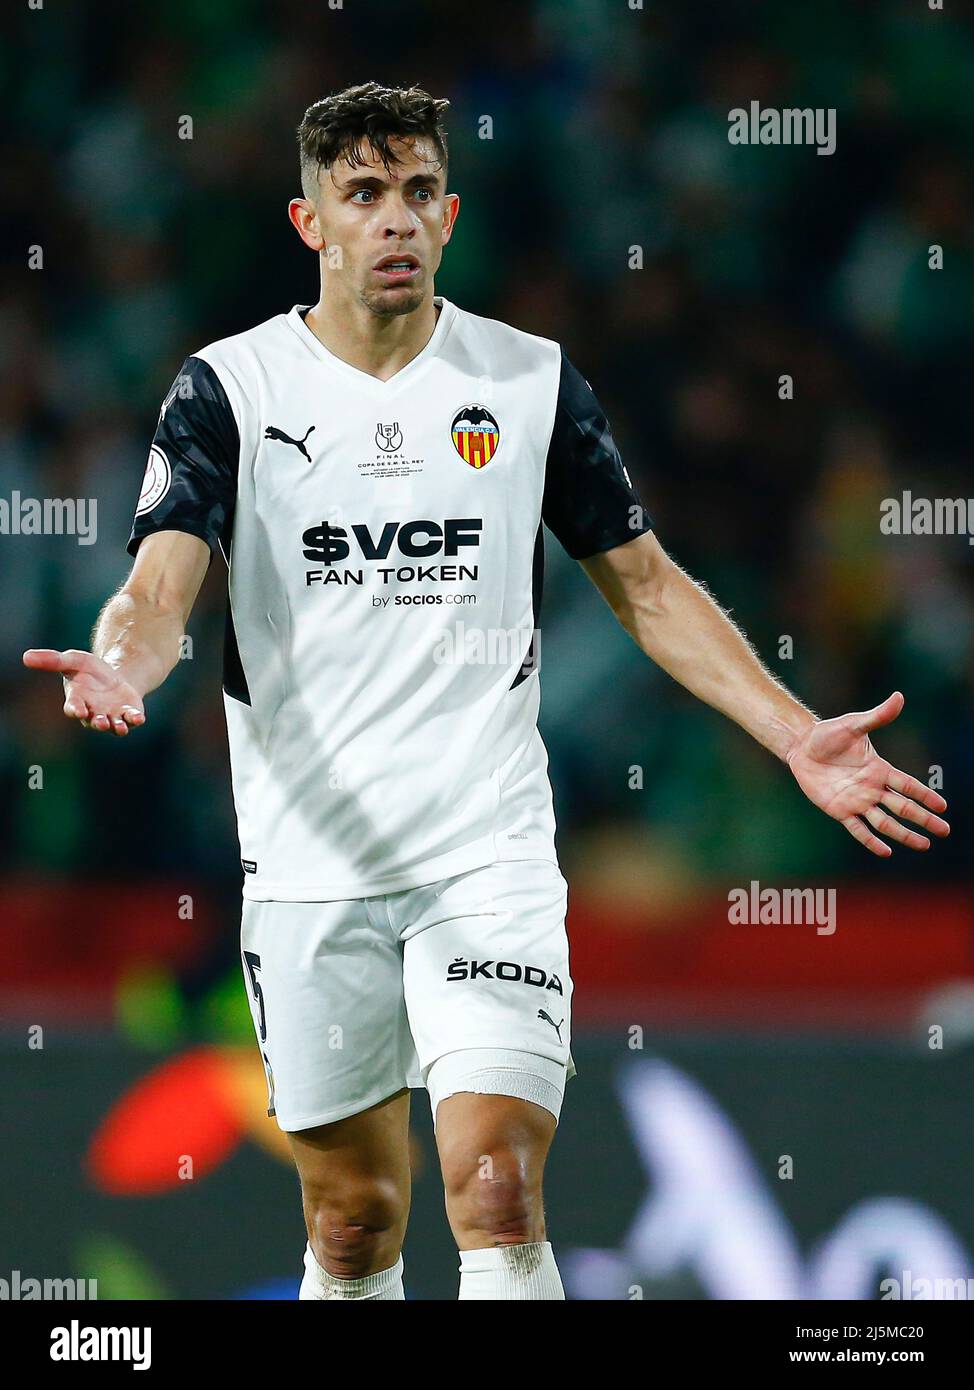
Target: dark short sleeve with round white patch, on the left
x=191, y=475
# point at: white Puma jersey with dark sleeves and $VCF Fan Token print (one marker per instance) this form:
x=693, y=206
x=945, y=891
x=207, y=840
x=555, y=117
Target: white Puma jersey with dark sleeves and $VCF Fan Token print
x=386, y=558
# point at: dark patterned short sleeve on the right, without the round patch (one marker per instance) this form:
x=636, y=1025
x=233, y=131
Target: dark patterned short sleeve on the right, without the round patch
x=590, y=502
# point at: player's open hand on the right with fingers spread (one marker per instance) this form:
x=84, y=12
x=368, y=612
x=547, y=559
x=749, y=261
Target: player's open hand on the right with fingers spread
x=839, y=769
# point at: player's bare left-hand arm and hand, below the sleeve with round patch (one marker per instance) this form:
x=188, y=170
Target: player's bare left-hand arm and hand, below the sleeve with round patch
x=137, y=639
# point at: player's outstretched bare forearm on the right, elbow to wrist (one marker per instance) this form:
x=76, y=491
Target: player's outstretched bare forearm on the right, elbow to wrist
x=677, y=623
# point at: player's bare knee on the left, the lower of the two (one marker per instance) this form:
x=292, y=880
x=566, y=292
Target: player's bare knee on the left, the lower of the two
x=352, y=1234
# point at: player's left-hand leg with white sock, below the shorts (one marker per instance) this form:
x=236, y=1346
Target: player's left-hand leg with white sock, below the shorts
x=356, y=1196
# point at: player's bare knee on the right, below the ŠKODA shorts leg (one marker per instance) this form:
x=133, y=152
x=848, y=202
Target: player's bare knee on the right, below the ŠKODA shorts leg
x=494, y=1196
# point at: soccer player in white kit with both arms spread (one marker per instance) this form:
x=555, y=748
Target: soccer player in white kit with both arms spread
x=376, y=471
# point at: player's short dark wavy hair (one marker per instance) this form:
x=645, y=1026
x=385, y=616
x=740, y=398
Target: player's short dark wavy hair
x=340, y=126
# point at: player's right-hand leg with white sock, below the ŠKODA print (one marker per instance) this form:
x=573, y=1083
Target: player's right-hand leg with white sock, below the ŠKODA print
x=493, y=1152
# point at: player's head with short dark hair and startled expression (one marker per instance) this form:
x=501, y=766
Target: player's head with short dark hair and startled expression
x=374, y=180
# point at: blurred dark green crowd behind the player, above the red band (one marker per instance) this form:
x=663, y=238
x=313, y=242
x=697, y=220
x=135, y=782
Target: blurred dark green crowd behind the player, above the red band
x=609, y=134
